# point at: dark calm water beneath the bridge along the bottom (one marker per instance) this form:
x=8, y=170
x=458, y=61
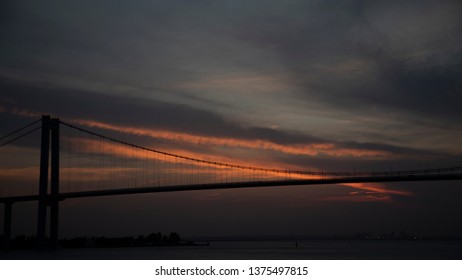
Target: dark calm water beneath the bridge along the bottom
x=219, y=250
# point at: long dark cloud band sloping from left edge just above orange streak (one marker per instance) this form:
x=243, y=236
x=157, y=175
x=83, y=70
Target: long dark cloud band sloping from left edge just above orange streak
x=74, y=104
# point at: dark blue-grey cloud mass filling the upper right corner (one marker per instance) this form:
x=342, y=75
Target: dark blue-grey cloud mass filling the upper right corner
x=343, y=55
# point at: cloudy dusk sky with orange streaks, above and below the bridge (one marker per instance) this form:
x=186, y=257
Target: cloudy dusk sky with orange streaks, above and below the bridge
x=300, y=85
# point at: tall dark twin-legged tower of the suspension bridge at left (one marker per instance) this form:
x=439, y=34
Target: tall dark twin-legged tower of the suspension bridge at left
x=49, y=139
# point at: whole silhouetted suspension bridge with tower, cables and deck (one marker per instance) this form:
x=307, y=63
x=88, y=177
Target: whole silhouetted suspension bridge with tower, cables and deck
x=75, y=162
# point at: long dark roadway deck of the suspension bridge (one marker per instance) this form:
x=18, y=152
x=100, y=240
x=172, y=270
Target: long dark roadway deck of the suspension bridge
x=238, y=185
